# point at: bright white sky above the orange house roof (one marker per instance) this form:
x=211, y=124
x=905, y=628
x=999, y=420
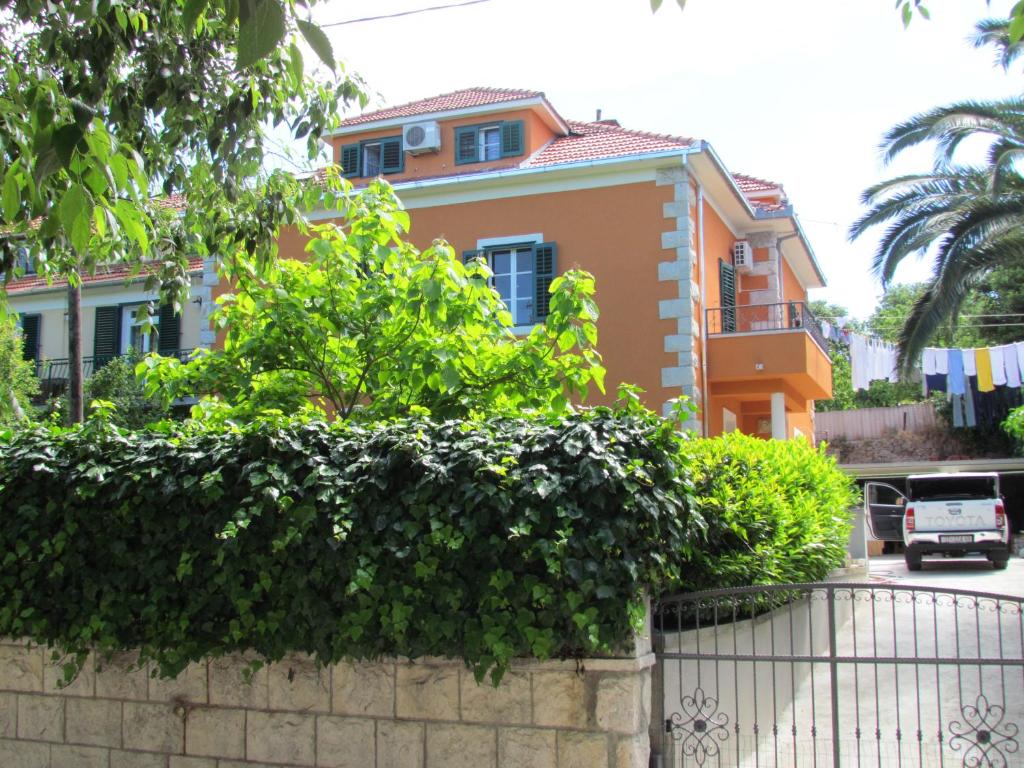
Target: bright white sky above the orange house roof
x=797, y=92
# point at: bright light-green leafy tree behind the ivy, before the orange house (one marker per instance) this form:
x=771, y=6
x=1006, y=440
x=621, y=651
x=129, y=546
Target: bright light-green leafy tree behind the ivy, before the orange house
x=370, y=328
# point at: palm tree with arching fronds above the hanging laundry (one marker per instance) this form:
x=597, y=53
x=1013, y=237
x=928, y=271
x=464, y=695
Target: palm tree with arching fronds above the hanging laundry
x=973, y=218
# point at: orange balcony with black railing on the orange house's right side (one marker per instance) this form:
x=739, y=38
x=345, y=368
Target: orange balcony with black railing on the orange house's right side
x=759, y=350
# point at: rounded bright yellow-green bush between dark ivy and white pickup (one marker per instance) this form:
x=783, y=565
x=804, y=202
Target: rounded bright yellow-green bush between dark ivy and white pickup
x=775, y=513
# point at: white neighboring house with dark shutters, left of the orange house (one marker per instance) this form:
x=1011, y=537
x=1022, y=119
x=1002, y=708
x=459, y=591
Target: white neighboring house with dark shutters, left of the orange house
x=111, y=300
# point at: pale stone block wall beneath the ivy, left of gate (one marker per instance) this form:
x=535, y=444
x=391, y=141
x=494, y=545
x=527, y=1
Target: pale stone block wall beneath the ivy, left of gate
x=430, y=714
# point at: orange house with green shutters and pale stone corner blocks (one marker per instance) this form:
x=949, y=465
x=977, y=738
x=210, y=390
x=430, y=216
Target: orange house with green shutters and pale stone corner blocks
x=702, y=275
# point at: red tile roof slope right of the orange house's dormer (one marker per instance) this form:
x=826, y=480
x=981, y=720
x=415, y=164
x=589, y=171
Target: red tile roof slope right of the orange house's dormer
x=600, y=141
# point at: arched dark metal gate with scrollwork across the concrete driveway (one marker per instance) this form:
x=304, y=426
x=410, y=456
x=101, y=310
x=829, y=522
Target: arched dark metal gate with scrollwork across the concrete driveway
x=839, y=675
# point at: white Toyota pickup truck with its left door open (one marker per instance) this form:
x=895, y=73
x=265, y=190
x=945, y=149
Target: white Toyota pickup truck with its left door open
x=955, y=515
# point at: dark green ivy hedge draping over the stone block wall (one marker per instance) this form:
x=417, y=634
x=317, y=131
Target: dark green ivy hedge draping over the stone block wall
x=483, y=541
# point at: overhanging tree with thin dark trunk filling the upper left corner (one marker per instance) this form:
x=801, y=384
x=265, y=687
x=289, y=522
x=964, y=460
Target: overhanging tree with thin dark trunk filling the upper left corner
x=106, y=107
